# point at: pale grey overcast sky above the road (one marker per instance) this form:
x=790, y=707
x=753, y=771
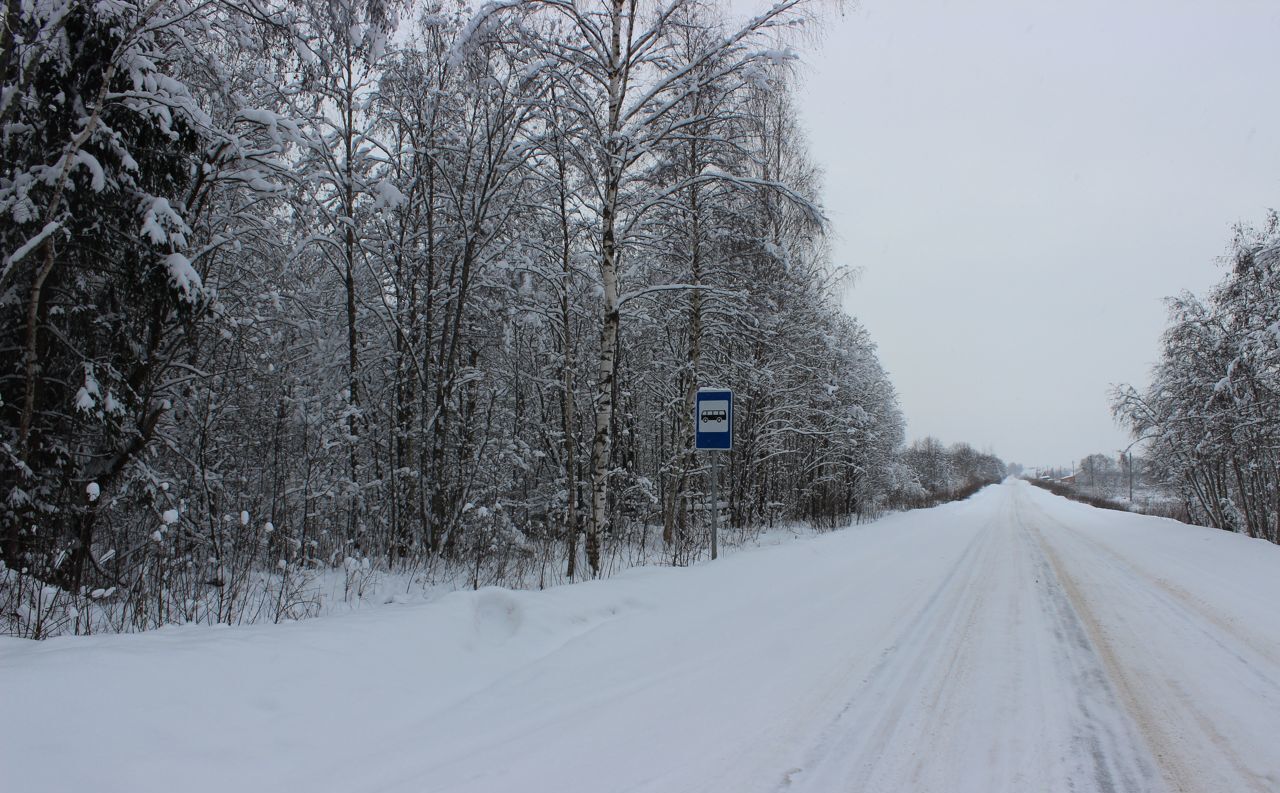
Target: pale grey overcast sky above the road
x=1021, y=184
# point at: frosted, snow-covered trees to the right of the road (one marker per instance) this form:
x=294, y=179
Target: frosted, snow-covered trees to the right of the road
x=1212, y=416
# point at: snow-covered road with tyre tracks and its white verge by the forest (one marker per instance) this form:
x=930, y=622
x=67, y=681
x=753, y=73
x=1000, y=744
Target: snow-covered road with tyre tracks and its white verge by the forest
x=1014, y=643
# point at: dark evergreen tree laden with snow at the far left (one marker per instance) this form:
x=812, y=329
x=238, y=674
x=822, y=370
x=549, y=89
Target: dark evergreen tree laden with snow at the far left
x=118, y=155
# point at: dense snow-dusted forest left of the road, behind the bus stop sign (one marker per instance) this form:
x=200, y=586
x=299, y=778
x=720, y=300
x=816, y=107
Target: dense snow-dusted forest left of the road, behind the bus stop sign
x=295, y=287
